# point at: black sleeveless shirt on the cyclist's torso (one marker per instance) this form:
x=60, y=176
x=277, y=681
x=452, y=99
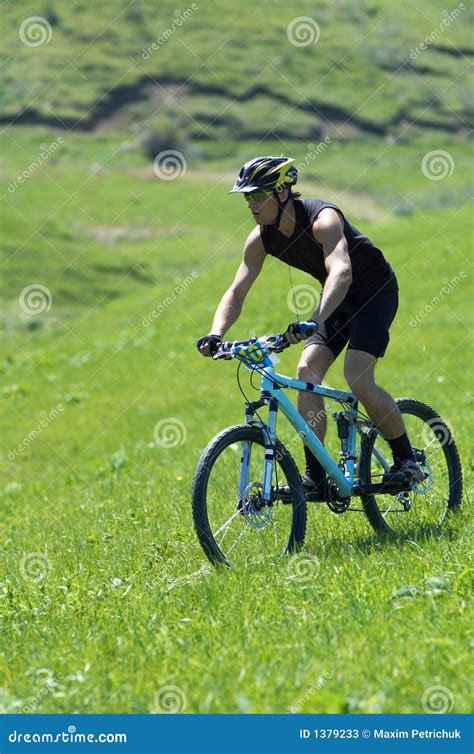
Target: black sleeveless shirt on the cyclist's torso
x=370, y=269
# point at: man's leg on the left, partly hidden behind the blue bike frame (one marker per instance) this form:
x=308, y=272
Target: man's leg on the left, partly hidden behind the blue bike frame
x=314, y=363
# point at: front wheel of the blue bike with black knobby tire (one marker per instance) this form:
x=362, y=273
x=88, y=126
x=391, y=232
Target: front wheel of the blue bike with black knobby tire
x=234, y=525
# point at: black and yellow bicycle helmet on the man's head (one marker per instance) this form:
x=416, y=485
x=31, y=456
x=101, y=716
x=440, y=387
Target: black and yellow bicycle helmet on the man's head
x=266, y=174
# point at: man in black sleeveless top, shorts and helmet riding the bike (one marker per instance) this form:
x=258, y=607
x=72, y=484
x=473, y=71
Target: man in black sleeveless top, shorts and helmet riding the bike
x=357, y=306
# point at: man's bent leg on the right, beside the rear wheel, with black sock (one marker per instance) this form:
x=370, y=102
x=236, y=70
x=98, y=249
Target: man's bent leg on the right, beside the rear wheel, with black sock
x=359, y=370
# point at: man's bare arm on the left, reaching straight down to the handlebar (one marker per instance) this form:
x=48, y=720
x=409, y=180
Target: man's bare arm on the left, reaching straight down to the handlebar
x=230, y=305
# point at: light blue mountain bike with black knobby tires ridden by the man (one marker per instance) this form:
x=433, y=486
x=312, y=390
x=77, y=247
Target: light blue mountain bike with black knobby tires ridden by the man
x=248, y=497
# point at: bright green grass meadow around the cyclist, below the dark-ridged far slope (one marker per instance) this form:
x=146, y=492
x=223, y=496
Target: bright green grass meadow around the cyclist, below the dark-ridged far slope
x=127, y=605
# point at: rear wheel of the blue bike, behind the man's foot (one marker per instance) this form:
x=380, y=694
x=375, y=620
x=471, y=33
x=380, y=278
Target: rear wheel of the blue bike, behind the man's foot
x=426, y=505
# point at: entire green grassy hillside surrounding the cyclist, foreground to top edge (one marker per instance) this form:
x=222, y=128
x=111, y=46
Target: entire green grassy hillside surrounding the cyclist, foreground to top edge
x=110, y=274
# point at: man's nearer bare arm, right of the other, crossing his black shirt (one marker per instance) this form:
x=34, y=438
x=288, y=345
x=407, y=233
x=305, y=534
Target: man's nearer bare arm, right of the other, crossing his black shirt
x=328, y=231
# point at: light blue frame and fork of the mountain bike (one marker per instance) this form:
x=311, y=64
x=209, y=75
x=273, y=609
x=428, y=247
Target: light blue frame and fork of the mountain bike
x=272, y=394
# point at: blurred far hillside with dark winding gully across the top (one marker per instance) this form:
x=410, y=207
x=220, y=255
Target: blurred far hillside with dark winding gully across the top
x=218, y=70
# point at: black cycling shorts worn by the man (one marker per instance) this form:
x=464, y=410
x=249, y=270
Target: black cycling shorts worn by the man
x=361, y=322
